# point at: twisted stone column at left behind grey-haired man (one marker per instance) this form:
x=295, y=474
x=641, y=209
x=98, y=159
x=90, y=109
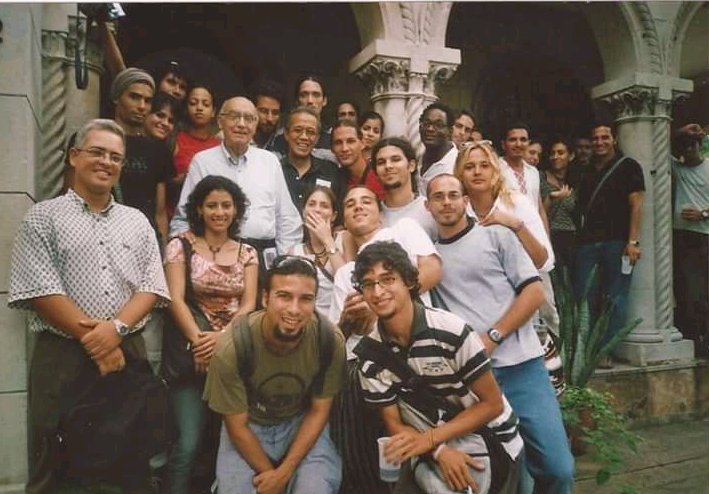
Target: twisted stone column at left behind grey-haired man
x=65, y=107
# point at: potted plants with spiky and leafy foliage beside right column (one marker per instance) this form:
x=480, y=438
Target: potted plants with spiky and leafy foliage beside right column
x=589, y=416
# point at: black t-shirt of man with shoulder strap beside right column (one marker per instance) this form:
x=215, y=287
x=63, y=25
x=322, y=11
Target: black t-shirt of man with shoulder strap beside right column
x=609, y=216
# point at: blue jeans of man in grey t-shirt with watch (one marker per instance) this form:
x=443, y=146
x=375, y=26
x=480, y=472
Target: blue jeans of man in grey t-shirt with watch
x=547, y=453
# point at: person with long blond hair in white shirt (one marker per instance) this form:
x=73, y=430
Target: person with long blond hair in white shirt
x=493, y=203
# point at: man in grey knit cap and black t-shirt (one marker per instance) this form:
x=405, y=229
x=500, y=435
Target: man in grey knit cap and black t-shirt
x=148, y=163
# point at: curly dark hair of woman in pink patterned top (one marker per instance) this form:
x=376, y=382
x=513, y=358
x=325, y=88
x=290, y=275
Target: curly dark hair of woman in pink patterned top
x=196, y=199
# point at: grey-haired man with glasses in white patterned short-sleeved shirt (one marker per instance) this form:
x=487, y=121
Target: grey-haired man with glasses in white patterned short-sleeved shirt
x=89, y=271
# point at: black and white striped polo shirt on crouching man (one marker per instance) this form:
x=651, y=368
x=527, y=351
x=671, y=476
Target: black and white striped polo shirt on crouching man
x=448, y=356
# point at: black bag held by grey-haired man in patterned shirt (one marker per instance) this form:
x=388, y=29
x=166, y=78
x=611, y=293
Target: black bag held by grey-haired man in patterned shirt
x=108, y=422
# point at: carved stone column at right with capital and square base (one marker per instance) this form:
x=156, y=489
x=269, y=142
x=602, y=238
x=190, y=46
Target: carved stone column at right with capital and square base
x=642, y=106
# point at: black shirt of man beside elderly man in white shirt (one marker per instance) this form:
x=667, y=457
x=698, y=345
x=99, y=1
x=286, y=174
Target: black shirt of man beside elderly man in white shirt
x=321, y=172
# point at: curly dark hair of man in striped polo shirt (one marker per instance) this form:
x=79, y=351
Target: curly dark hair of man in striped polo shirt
x=393, y=258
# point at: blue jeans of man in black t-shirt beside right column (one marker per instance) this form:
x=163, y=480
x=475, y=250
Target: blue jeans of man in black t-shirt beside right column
x=610, y=284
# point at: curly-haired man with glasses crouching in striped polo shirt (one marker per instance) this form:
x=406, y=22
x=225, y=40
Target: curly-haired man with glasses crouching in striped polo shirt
x=428, y=373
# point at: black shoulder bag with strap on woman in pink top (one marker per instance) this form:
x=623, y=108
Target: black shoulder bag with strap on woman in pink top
x=177, y=362
